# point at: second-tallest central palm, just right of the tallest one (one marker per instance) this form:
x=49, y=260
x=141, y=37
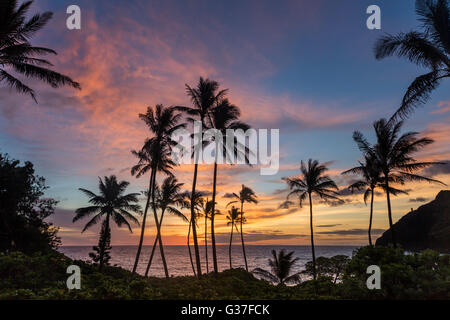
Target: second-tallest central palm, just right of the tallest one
x=224, y=117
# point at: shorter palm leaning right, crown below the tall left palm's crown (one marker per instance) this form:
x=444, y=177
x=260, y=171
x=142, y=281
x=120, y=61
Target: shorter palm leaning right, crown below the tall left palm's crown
x=168, y=198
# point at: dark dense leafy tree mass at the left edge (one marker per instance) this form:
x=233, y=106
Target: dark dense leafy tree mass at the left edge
x=23, y=209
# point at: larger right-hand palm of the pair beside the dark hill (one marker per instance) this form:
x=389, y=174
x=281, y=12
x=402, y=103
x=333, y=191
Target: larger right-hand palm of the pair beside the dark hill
x=393, y=154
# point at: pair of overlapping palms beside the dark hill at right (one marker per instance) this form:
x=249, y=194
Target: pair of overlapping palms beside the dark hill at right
x=389, y=162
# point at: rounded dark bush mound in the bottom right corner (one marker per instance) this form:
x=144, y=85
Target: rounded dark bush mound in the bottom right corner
x=423, y=275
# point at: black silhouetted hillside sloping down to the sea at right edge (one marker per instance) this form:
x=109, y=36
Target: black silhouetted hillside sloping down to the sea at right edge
x=428, y=227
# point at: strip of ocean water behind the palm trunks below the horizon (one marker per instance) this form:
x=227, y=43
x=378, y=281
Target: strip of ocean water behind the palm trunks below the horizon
x=178, y=257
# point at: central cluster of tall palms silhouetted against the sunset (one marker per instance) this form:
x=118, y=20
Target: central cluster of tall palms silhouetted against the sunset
x=211, y=107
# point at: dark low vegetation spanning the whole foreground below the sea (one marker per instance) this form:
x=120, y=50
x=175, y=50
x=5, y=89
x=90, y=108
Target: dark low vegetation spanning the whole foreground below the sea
x=43, y=276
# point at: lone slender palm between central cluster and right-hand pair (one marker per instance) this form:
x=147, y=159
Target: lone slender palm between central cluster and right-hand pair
x=312, y=181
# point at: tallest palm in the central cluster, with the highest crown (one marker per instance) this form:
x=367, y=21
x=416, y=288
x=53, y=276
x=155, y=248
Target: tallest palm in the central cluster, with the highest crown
x=203, y=98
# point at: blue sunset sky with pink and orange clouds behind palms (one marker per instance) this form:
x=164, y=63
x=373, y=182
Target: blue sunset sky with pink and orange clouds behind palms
x=306, y=68
